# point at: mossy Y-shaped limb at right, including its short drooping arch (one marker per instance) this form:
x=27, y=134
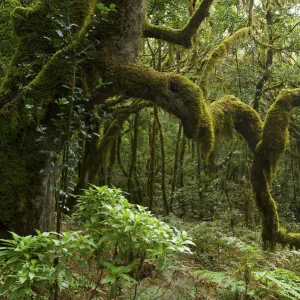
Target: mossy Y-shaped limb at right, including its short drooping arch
x=268, y=142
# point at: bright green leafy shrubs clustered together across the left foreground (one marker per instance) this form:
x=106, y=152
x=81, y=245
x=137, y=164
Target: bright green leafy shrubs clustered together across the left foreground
x=32, y=266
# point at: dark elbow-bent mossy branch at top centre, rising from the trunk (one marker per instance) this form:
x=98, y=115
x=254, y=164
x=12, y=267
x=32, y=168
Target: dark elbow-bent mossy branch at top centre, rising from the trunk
x=182, y=36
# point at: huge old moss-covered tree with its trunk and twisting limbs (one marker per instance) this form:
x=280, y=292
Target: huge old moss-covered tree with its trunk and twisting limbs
x=62, y=45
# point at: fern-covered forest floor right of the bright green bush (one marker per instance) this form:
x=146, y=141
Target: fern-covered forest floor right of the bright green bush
x=225, y=264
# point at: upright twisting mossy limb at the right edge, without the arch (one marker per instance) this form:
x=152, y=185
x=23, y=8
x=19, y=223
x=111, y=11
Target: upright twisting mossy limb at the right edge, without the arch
x=275, y=137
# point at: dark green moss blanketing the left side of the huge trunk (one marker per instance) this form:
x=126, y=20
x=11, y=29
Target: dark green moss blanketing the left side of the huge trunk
x=22, y=187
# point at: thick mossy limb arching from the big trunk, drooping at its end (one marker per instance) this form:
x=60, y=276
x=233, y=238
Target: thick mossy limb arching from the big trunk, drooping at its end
x=174, y=93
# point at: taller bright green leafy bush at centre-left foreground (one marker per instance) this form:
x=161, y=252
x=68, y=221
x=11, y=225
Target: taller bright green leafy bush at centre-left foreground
x=131, y=230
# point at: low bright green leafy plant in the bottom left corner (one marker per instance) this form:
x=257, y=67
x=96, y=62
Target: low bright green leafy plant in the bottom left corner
x=27, y=268
